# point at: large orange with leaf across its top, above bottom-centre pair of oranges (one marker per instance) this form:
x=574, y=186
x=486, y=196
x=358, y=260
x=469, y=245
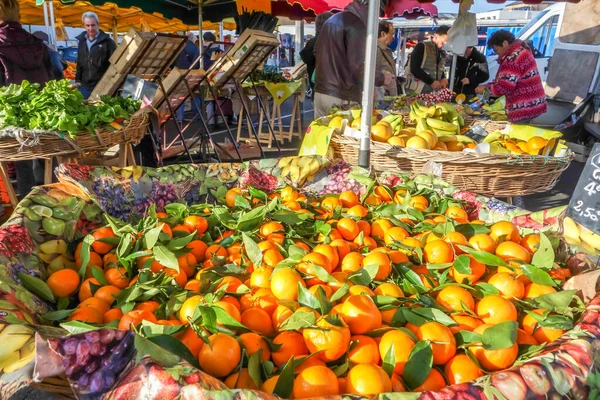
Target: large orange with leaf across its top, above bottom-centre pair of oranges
x=329, y=340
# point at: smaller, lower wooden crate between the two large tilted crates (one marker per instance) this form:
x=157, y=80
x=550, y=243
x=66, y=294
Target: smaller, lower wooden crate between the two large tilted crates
x=175, y=85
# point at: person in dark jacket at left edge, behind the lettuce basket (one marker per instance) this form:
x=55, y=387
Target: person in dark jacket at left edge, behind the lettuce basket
x=22, y=57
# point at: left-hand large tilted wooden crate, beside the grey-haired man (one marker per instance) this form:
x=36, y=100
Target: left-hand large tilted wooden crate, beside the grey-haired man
x=146, y=55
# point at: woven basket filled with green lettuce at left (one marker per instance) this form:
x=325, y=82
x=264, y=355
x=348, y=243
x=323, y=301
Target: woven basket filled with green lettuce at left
x=47, y=145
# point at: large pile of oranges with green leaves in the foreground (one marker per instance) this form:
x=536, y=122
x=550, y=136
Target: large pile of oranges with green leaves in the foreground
x=351, y=301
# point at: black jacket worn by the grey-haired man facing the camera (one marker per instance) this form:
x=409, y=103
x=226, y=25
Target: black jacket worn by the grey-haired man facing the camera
x=91, y=65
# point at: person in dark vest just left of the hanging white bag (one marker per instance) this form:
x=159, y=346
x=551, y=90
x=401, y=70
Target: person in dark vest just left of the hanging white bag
x=427, y=62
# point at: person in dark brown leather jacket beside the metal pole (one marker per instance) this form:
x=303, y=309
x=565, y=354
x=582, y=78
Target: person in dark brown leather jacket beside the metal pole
x=340, y=52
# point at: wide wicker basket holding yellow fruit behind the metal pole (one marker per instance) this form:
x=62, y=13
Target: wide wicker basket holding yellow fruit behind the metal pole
x=496, y=175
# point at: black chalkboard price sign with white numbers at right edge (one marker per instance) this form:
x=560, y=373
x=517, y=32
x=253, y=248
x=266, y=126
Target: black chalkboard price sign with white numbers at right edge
x=584, y=206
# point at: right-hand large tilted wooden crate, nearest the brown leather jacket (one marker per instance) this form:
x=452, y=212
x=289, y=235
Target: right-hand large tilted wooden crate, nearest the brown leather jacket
x=248, y=52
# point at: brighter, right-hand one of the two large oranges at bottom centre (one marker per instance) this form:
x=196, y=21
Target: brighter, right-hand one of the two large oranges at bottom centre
x=367, y=380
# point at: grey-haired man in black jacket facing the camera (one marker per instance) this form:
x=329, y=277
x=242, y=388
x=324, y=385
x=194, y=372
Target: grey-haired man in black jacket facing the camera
x=95, y=49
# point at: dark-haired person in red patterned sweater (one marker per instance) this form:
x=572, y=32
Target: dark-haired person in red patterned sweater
x=518, y=79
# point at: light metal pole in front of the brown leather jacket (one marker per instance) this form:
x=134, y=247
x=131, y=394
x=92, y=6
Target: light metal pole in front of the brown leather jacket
x=364, y=154
